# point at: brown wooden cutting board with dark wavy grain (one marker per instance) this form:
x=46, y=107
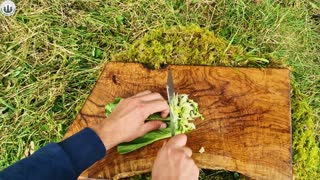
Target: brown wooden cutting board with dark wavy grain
x=247, y=126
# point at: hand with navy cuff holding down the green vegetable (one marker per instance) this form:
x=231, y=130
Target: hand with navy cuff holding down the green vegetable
x=126, y=122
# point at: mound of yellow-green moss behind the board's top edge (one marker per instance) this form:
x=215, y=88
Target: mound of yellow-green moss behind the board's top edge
x=188, y=45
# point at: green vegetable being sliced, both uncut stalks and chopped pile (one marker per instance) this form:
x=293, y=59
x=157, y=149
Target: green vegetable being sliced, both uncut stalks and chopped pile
x=185, y=111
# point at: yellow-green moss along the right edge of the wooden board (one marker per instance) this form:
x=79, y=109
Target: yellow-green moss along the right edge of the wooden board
x=305, y=149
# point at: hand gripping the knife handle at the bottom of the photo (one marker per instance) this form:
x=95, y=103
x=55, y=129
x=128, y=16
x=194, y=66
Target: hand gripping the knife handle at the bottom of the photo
x=174, y=161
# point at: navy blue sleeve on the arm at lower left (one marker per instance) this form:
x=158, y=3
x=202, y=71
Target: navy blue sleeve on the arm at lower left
x=64, y=160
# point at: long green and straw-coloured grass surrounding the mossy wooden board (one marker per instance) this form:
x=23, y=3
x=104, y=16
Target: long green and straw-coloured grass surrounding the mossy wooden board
x=51, y=53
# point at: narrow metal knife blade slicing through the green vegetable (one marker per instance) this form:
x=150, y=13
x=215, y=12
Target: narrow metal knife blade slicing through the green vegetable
x=171, y=94
